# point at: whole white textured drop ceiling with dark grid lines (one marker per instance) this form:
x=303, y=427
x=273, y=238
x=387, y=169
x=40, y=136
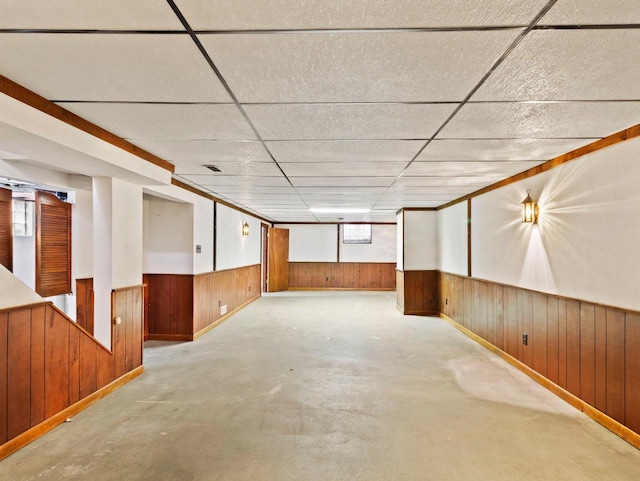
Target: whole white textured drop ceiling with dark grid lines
x=326, y=103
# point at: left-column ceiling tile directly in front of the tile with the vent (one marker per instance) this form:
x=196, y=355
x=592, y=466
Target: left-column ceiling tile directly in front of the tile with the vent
x=206, y=151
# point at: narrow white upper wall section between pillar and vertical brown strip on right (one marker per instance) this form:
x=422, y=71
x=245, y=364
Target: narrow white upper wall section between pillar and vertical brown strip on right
x=452, y=239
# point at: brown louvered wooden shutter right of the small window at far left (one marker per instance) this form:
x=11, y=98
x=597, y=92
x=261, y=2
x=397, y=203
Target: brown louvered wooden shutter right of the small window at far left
x=53, y=245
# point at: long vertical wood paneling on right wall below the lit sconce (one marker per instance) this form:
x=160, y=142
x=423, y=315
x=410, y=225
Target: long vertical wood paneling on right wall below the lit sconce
x=587, y=349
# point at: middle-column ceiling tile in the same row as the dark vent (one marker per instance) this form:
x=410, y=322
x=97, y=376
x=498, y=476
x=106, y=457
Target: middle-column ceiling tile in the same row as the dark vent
x=343, y=169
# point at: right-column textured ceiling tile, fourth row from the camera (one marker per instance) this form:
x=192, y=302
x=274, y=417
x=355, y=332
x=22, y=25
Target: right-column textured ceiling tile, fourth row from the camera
x=499, y=149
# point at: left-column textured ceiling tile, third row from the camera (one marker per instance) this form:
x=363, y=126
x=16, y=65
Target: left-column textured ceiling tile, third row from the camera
x=140, y=122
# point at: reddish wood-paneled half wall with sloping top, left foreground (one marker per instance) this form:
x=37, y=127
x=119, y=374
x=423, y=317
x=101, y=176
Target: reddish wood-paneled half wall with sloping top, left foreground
x=51, y=368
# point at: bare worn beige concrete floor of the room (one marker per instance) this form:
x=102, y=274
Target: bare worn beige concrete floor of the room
x=327, y=386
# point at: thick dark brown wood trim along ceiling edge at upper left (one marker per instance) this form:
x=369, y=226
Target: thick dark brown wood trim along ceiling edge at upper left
x=30, y=98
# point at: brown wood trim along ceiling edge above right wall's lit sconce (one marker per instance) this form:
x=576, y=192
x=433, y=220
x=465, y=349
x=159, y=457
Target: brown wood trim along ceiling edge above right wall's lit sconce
x=616, y=138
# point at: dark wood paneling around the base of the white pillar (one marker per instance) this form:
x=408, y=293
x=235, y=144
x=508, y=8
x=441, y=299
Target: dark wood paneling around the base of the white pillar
x=417, y=292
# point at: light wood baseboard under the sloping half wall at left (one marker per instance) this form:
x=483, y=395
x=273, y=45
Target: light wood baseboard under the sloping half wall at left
x=47, y=425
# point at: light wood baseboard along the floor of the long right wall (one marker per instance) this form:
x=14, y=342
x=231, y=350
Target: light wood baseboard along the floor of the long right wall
x=611, y=424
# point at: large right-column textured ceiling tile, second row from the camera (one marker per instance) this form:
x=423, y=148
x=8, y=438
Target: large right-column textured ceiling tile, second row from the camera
x=557, y=65
